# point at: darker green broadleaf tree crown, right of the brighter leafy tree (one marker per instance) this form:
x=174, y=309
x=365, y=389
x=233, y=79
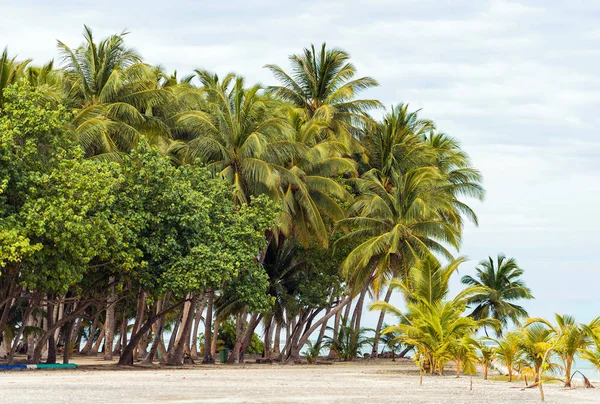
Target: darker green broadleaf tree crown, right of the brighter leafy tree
x=191, y=235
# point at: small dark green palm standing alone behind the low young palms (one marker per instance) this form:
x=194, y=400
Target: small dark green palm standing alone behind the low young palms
x=503, y=286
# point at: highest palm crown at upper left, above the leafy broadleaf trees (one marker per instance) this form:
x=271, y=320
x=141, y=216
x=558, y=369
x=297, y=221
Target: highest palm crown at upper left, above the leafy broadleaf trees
x=113, y=92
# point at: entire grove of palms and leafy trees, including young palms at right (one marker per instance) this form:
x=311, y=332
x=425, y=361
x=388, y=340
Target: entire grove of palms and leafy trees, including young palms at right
x=137, y=205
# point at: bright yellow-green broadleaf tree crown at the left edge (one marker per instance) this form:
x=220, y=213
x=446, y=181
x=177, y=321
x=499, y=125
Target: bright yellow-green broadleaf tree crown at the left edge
x=56, y=204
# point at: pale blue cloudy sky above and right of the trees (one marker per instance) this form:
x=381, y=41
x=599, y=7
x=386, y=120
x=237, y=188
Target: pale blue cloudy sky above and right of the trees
x=517, y=82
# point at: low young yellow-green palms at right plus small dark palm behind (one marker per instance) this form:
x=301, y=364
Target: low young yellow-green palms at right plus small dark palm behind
x=438, y=330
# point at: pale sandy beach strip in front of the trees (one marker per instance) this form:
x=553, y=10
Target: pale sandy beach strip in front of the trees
x=360, y=382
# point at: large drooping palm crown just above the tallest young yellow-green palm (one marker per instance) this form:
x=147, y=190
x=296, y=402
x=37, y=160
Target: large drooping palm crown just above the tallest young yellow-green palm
x=396, y=226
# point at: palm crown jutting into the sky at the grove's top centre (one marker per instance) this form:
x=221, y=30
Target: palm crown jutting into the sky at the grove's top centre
x=323, y=84
